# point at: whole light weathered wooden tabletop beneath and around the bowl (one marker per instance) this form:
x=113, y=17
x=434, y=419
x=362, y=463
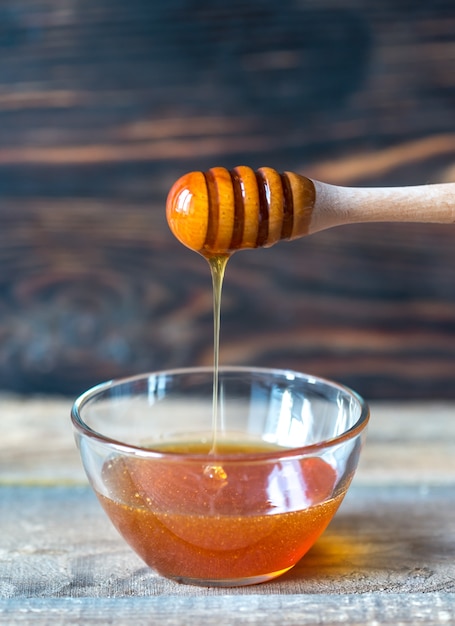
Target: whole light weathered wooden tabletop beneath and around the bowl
x=387, y=558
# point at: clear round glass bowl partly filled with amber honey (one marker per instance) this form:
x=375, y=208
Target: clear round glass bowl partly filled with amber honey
x=233, y=505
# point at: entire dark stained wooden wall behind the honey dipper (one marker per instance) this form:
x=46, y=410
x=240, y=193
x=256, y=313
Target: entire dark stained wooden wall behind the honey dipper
x=103, y=104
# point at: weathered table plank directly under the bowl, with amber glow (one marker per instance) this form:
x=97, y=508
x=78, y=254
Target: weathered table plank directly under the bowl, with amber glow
x=57, y=542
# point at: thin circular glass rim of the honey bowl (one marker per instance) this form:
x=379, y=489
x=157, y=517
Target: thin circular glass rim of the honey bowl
x=81, y=427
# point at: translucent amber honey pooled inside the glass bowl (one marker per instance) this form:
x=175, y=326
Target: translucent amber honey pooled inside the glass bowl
x=236, y=521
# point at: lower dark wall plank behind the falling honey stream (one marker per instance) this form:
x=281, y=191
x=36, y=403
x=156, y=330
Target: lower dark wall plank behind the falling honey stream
x=372, y=308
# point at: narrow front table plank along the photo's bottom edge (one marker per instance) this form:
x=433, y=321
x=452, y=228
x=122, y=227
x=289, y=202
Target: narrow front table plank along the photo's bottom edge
x=355, y=609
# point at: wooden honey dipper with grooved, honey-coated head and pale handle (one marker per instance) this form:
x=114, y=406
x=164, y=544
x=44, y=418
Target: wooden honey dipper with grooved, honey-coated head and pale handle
x=220, y=211
